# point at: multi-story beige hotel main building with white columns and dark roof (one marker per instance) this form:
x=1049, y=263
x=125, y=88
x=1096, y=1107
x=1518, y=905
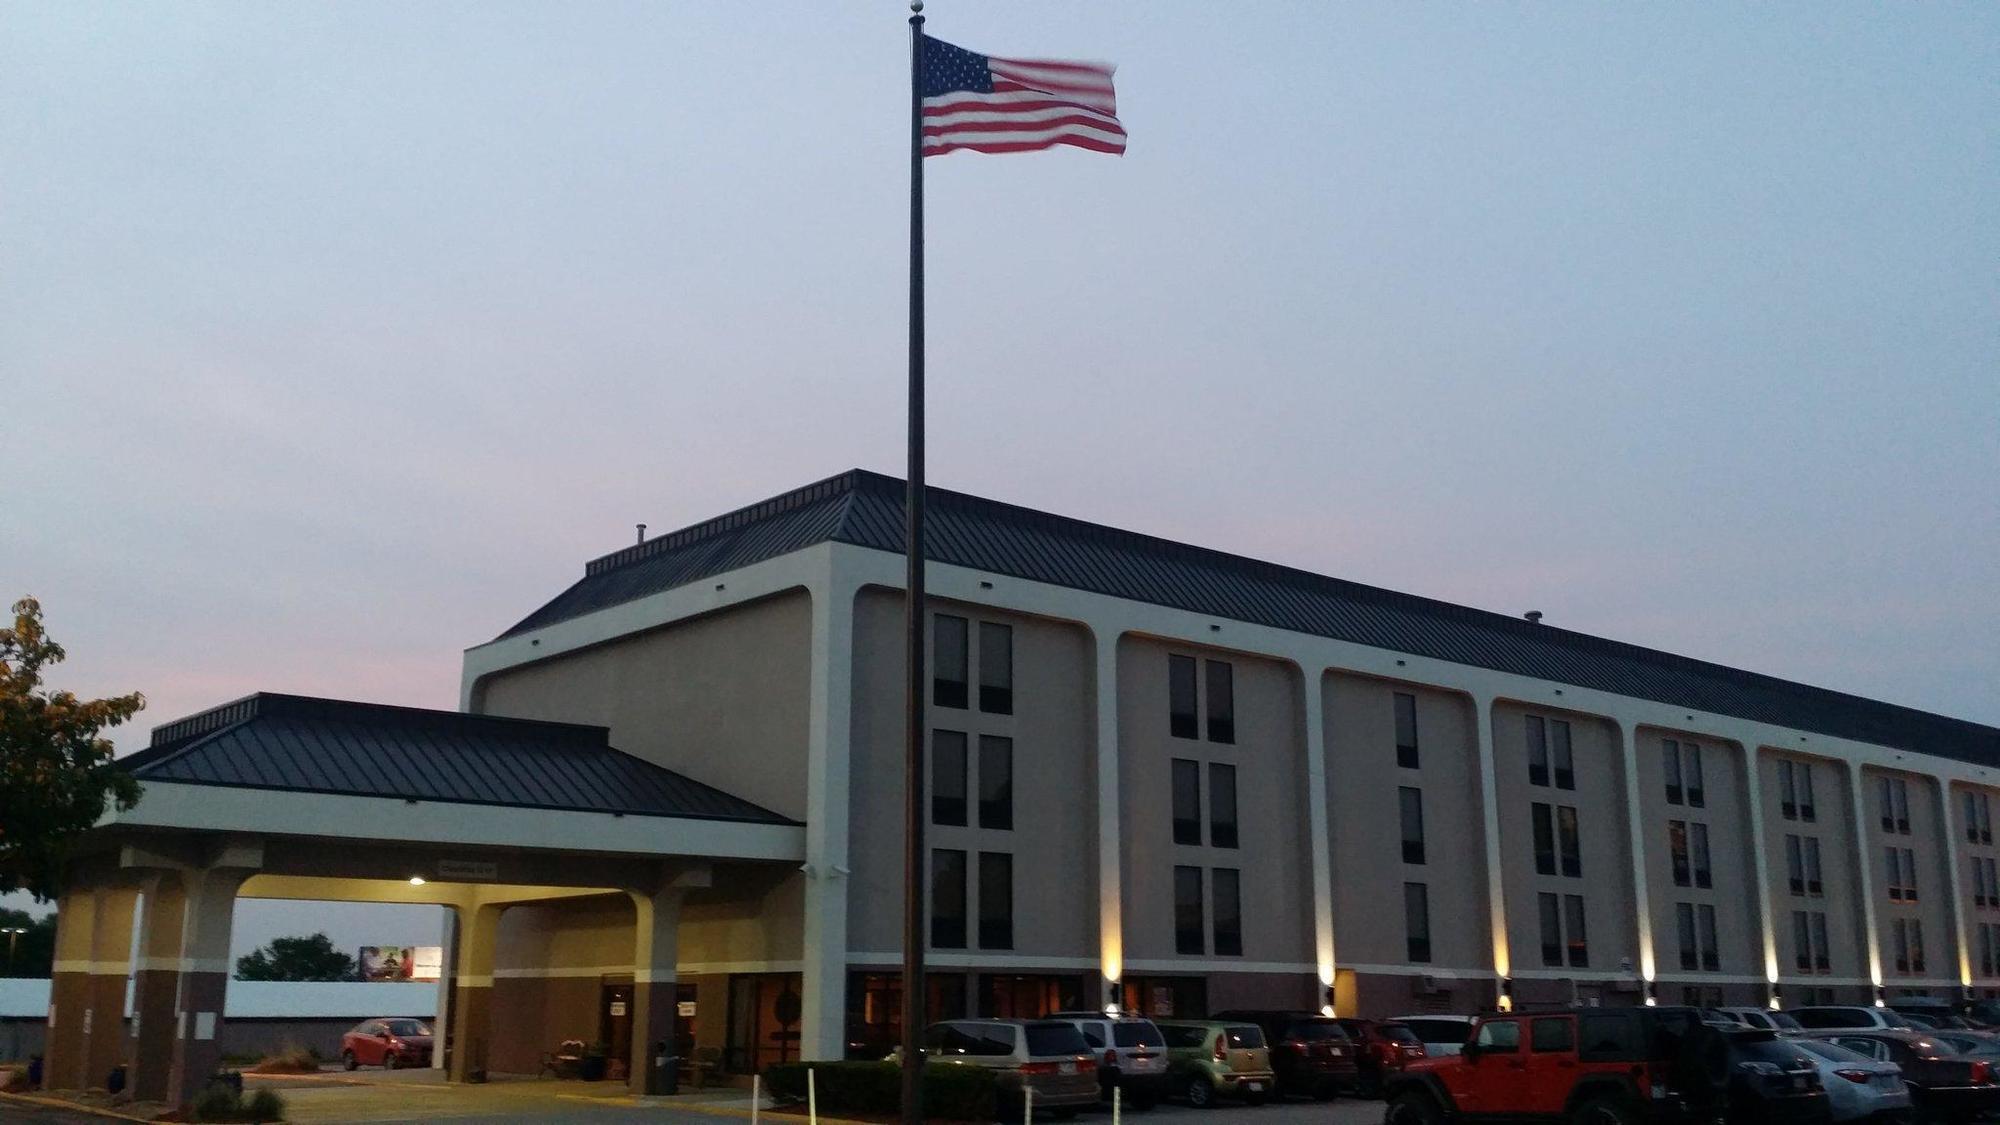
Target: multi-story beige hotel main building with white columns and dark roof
x=1177, y=780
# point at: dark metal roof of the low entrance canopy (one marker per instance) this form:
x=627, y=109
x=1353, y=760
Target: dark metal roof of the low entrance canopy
x=369, y=750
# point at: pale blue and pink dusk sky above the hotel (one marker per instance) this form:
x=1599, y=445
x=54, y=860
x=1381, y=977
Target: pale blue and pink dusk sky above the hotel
x=335, y=339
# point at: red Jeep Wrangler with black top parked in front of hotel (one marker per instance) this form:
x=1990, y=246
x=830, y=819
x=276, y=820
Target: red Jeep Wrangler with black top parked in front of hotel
x=1579, y=1066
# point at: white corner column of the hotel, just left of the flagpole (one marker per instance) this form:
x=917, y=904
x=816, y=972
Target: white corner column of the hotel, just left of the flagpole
x=825, y=972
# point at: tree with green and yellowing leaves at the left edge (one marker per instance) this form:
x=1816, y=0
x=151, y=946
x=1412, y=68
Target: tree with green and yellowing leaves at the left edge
x=57, y=772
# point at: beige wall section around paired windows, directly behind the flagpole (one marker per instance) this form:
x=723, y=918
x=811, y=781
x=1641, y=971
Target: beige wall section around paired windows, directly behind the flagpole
x=1053, y=728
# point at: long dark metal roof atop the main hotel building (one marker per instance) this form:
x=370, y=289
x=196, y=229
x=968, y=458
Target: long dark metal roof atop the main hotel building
x=865, y=509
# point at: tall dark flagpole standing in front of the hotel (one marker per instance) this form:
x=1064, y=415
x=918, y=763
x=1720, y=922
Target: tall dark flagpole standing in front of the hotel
x=913, y=772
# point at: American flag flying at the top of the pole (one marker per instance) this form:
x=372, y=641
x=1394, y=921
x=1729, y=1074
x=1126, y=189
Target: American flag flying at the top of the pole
x=1015, y=105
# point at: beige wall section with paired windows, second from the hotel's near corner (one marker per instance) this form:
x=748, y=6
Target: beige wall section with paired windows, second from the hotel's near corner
x=1271, y=806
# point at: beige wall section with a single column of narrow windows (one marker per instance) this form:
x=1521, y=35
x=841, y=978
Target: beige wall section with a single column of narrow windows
x=1367, y=826
